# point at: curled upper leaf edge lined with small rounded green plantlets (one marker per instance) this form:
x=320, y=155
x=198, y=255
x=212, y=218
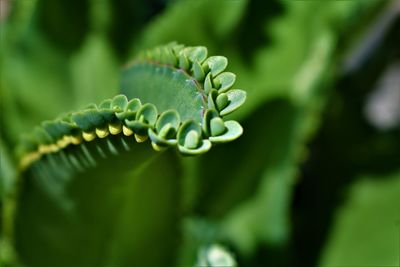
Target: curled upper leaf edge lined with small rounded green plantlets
x=173, y=95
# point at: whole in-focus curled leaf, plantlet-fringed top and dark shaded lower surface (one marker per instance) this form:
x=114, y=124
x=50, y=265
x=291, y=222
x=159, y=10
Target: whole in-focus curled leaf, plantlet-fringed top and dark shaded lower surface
x=62, y=171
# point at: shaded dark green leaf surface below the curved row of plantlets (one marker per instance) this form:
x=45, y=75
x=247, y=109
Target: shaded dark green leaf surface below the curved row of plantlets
x=109, y=215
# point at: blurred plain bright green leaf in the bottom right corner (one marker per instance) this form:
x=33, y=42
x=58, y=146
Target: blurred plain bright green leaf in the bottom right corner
x=366, y=228
